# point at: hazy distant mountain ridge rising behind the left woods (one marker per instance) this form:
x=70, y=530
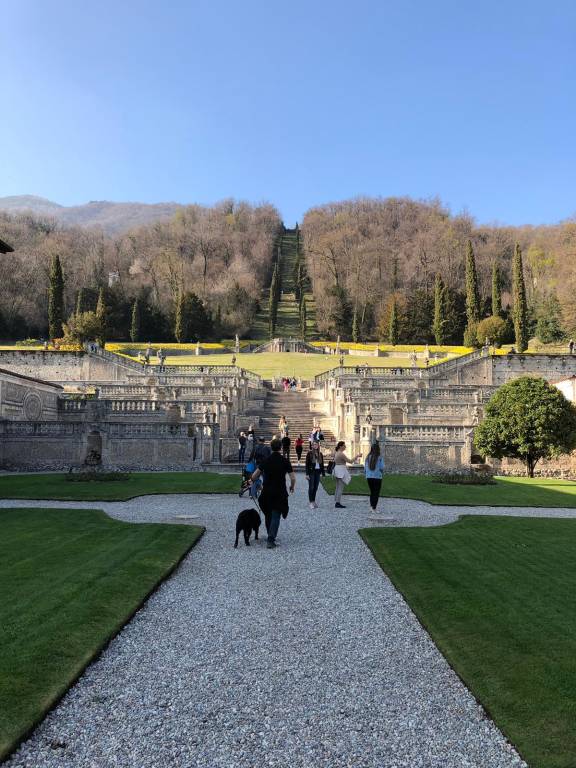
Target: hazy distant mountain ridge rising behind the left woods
x=112, y=217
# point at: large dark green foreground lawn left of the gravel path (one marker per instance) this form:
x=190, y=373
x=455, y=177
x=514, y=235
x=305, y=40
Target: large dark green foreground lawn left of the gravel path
x=69, y=581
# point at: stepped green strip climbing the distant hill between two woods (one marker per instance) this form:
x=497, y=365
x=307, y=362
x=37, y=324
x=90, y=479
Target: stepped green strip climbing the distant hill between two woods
x=288, y=322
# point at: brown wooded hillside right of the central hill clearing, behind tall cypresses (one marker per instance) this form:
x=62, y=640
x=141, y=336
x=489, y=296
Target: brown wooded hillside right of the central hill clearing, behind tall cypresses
x=368, y=257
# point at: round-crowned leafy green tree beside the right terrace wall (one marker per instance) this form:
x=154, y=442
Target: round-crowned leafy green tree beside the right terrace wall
x=527, y=419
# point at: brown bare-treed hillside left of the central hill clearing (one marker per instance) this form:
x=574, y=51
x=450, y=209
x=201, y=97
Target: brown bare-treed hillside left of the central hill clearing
x=222, y=254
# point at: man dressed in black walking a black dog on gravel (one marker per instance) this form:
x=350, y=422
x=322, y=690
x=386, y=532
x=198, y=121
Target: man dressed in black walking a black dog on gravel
x=274, y=497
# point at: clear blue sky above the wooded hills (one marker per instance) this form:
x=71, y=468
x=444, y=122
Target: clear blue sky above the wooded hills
x=298, y=103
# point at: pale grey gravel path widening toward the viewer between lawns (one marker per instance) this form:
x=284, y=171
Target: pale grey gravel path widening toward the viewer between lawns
x=300, y=656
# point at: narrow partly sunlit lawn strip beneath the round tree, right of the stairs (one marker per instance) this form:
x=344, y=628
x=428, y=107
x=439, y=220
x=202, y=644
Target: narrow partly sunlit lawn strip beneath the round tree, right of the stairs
x=507, y=492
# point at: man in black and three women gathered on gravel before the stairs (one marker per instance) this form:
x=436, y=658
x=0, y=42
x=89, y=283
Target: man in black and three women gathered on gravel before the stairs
x=272, y=468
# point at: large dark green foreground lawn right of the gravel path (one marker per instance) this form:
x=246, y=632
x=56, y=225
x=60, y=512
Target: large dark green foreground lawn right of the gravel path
x=497, y=596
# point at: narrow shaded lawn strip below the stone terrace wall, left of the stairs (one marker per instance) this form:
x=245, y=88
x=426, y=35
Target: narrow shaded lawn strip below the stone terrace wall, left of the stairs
x=56, y=486
